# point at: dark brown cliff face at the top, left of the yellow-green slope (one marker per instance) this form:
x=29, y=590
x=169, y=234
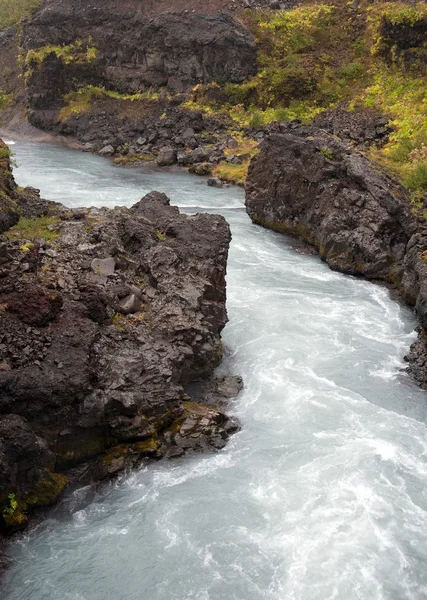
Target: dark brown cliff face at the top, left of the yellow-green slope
x=134, y=49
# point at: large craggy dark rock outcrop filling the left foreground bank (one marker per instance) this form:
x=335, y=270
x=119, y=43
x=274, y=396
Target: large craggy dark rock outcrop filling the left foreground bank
x=105, y=316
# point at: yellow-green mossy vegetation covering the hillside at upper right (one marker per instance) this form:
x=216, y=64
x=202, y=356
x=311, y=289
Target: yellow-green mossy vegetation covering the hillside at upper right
x=320, y=56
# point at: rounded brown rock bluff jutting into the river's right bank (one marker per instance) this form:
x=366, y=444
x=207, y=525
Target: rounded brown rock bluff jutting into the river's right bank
x=307, y=183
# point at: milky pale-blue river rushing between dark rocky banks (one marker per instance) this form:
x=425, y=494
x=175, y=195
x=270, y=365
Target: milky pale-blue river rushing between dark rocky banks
x=321, y=496
